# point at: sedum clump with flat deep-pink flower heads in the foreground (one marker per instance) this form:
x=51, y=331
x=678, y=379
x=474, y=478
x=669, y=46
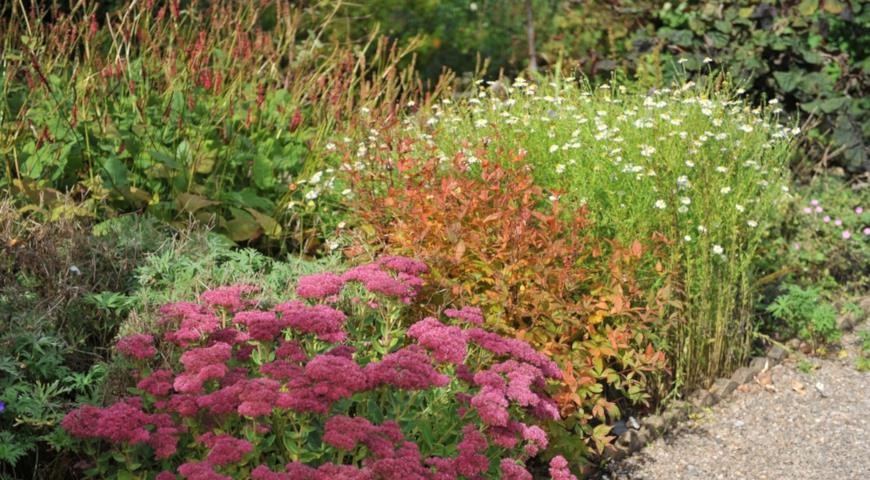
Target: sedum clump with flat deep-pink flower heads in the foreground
x=329, y=386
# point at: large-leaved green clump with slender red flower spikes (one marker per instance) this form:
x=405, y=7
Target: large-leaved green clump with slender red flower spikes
x=216, y=111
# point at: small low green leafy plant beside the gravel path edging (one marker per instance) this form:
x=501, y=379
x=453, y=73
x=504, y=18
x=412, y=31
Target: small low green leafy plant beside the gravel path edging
x=806, y=315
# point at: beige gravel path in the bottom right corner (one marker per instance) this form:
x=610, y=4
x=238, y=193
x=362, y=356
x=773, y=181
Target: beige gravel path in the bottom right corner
x=785, y=425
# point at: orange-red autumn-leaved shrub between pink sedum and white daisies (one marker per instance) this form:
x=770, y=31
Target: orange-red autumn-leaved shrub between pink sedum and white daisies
x=494, y=239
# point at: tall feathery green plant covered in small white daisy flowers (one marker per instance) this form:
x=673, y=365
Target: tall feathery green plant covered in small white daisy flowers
x=691, y=164
